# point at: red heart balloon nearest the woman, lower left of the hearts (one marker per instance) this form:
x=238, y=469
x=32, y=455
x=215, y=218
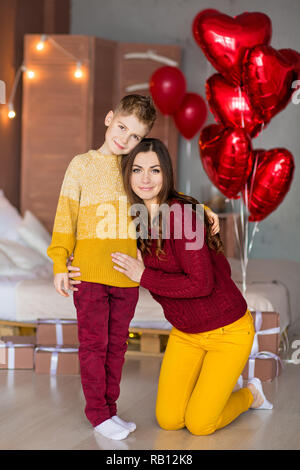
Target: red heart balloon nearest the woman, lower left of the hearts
x=226, y=155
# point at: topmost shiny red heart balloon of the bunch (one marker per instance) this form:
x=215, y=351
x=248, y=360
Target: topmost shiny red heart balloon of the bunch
x=224, y=39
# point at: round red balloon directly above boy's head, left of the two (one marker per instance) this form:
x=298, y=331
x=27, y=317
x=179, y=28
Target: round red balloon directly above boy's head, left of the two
x=167, y=87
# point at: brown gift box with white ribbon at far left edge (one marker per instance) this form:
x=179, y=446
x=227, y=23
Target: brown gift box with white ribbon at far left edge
x=17, y=352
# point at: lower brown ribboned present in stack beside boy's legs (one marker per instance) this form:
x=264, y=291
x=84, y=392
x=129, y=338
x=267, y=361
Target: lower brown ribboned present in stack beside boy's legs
x=56, y=360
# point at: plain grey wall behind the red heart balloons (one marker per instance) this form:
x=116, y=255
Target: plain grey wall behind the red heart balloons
x=169, y=22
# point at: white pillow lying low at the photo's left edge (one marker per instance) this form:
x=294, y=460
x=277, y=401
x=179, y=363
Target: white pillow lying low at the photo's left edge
x=23, y=257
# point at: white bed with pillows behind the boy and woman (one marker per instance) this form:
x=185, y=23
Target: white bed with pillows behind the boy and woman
x=27, y=292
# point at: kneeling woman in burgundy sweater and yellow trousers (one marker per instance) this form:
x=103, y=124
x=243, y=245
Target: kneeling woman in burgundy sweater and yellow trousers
x=213, y=331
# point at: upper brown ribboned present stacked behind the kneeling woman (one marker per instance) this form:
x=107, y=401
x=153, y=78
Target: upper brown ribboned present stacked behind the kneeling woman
x=267, y=332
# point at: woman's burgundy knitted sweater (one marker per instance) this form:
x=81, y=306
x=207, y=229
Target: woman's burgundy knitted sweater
x=194, y=287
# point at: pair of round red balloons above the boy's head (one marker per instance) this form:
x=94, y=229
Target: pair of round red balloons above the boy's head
x=168, y=90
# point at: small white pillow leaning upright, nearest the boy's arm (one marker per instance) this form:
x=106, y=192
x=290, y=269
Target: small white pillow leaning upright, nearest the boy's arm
x=34, y=234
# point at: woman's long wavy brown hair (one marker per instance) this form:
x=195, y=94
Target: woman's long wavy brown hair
x=166, y=194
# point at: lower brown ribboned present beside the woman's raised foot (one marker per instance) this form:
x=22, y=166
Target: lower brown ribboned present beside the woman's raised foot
x=263, y=365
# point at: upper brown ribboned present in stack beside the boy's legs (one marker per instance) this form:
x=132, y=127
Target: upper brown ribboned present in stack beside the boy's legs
x=56, y=331
